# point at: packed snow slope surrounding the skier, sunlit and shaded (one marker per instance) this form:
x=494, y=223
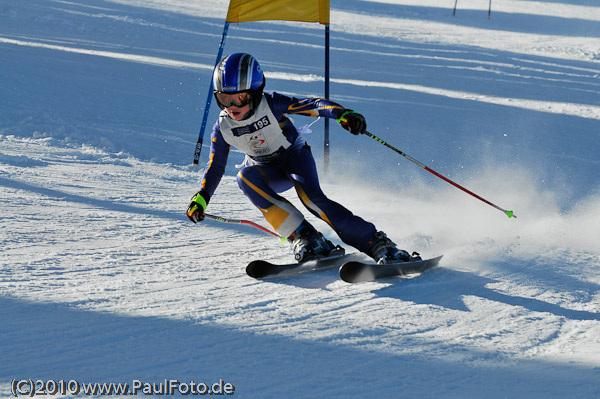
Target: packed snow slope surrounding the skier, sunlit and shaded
x=103, y=279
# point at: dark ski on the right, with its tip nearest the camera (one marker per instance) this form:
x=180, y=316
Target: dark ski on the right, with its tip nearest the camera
x=357, y=272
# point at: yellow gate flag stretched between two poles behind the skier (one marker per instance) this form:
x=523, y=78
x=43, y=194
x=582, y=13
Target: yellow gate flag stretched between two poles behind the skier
x=284, y=10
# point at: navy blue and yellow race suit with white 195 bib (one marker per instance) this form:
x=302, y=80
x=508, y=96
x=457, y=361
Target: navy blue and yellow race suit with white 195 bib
x=279, y=159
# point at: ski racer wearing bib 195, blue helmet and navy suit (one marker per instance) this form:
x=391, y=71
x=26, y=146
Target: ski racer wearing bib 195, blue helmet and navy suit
x=277, y=159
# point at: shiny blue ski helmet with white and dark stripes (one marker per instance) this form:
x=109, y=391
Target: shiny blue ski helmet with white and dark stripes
x=237, y=73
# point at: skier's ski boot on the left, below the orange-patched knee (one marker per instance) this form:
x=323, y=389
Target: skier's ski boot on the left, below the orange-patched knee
x=310, y=244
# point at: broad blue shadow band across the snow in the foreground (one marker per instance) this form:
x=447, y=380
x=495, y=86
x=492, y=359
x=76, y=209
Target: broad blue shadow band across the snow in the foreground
x=59, y=341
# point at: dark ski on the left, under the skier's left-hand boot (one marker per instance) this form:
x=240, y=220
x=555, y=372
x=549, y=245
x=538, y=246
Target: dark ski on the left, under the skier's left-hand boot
x=262, y=269
